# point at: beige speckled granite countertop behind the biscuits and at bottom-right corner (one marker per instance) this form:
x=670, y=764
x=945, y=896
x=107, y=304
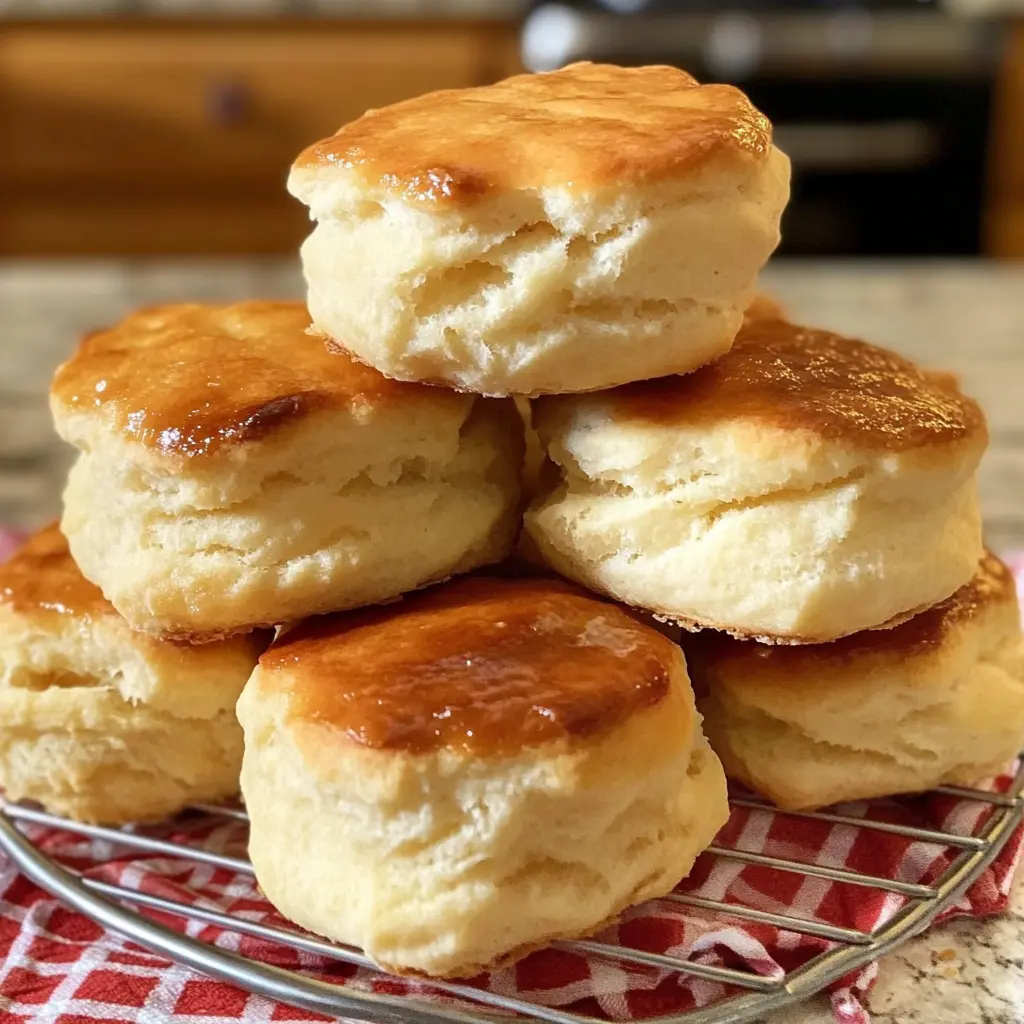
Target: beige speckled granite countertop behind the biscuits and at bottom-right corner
x=967, y=318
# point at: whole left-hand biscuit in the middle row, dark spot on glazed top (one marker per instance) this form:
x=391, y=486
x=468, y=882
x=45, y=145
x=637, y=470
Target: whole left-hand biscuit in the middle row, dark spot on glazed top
x=235, y=475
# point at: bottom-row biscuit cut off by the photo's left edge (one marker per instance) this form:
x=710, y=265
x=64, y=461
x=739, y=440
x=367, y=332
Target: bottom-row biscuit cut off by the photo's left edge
x=98, y=722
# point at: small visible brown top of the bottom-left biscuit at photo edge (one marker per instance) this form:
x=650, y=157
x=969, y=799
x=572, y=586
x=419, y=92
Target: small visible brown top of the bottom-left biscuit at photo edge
x=44, y=577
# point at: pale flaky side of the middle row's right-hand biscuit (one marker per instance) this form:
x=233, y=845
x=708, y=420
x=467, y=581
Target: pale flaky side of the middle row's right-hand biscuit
x=776, y=534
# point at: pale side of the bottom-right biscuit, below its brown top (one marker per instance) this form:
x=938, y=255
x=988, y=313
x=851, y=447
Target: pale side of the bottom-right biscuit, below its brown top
x=899, y=722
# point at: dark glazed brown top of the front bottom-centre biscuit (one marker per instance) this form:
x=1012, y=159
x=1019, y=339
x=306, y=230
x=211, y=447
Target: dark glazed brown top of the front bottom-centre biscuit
x=485, y=666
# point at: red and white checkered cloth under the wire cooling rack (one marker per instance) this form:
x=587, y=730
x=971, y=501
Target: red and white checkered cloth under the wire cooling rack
x=61, y=968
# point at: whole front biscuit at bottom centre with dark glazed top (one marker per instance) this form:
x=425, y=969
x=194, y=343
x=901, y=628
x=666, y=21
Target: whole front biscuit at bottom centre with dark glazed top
x=474, y=773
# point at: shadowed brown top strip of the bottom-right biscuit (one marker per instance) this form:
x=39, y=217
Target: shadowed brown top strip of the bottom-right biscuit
x=992, y=585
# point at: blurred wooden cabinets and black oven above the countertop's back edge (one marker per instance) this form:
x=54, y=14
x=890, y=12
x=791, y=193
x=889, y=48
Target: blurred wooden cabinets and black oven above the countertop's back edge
x=166, y=126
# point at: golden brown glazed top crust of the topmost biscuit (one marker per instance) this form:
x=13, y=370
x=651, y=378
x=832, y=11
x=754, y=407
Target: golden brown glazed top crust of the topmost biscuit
x=584, y=127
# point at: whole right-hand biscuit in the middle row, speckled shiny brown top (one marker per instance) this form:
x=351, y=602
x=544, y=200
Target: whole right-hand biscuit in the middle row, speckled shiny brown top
x=802, y=488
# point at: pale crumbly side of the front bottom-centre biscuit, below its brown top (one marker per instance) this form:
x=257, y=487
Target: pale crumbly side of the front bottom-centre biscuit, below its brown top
x=446, y=864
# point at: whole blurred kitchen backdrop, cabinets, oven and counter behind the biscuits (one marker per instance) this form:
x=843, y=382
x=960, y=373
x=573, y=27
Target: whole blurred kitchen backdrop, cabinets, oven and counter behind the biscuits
x=144, y=147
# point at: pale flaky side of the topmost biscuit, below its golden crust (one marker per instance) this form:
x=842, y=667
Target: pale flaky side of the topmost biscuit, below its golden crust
x=544, y=290
